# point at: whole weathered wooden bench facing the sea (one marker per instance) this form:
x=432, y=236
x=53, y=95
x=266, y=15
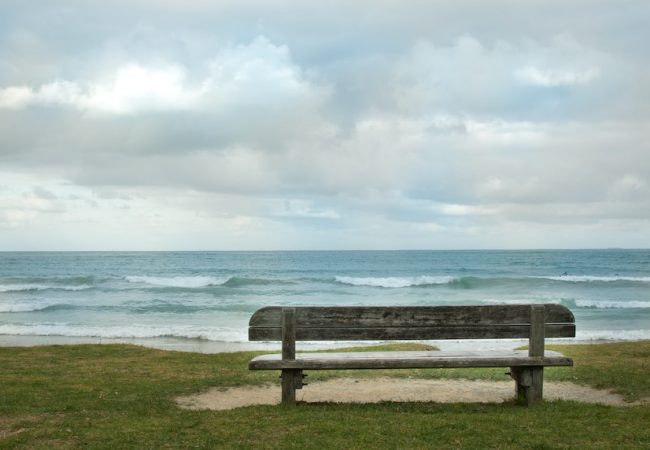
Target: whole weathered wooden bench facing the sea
x=535, y=322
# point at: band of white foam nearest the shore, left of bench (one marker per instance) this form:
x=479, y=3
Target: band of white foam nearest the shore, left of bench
x=130, y=331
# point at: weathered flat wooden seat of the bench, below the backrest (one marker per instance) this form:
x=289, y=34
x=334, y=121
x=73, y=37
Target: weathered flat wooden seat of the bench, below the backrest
x=407, y=360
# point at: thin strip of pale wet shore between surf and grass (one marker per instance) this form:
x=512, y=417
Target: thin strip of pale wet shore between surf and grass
x=206, y=346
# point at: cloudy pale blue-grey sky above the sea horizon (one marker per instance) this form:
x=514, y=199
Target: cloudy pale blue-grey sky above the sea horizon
x=271, y=125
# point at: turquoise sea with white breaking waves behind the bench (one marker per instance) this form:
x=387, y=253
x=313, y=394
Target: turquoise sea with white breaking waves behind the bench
x=211, y=295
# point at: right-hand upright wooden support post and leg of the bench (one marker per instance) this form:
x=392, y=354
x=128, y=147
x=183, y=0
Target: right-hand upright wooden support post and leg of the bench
x=529, y=380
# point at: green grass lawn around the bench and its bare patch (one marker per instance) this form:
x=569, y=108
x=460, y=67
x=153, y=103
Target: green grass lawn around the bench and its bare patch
x=120, y=396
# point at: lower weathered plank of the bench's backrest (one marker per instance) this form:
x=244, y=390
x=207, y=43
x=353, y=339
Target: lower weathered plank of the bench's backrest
x=404, y=333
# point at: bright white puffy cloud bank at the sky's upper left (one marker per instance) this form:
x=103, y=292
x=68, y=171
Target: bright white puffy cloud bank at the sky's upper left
x=256, y=74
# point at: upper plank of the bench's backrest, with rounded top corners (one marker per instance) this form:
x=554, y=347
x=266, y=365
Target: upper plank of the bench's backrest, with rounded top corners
x=411, y=316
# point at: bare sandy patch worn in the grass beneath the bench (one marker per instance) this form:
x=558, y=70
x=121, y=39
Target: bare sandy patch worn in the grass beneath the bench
x=349, y=390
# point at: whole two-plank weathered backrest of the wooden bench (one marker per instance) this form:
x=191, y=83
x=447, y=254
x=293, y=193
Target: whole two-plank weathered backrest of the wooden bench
x=316, y=323
